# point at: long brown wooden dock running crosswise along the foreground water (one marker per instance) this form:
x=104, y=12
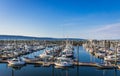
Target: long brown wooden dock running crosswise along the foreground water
x=46, y=64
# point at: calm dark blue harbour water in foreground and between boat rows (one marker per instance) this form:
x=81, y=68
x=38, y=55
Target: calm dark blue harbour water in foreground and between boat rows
x=38, y=70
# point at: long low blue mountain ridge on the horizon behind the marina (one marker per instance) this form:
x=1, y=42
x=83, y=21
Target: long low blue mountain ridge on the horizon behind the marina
x=15, y=37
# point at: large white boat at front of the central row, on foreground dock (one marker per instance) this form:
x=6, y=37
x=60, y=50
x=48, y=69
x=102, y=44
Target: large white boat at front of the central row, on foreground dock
x=64, y=62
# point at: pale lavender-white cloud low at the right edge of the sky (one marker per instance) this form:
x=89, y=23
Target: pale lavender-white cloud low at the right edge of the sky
x=111, y=31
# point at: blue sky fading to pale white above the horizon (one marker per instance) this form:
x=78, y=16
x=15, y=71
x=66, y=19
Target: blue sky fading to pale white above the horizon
x=93, y=19
